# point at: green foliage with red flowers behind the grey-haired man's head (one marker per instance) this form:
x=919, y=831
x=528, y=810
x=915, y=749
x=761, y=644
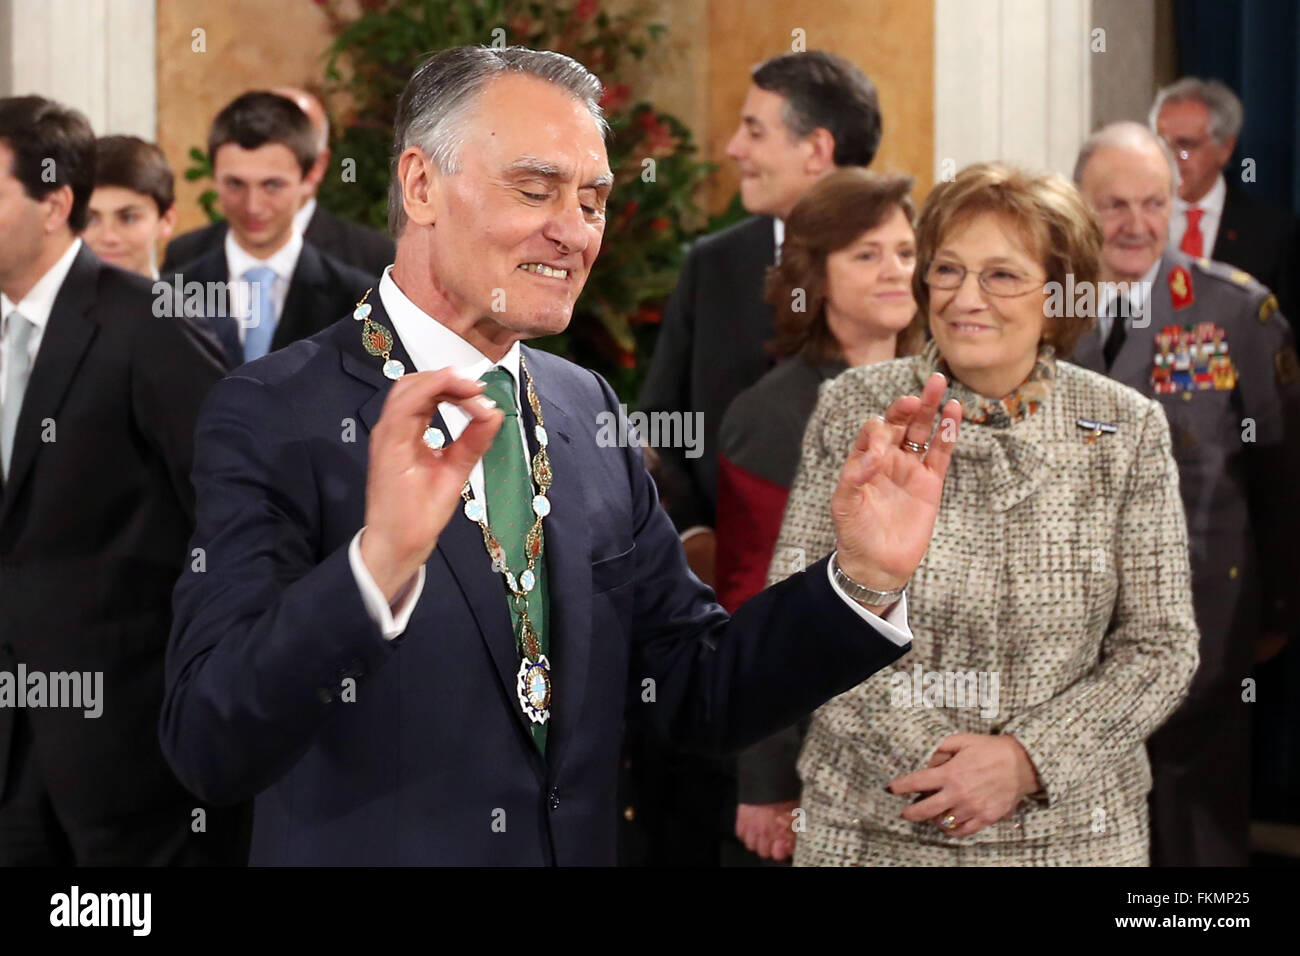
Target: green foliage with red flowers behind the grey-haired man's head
x=651, y=222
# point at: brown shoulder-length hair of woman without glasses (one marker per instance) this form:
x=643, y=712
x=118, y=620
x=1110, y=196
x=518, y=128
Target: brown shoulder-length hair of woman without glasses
x=831, y=217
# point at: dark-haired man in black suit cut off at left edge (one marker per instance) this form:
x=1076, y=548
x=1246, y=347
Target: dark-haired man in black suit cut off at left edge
x=98, y=404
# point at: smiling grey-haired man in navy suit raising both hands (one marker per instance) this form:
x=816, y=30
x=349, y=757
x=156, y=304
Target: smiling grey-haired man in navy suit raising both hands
x=352, y=656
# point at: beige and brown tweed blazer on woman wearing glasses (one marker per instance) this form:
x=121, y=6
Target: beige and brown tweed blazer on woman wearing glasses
x=1054, y=604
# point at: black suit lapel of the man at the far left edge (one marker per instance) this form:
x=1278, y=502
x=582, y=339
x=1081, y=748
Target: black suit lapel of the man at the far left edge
x=68, y=335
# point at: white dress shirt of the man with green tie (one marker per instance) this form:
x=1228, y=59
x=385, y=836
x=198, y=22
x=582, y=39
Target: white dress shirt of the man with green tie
x=431, y=347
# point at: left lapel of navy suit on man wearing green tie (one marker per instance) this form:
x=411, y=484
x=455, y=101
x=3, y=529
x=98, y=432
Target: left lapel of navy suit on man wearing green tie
x=461, y=547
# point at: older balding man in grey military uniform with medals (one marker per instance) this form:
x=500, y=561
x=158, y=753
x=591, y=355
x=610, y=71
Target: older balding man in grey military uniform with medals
x=1207, y=341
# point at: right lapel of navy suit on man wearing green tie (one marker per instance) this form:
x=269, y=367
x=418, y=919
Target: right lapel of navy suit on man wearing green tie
x=569, y=564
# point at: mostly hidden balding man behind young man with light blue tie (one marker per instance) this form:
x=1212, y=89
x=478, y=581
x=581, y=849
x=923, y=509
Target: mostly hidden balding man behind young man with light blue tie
x=356, y=245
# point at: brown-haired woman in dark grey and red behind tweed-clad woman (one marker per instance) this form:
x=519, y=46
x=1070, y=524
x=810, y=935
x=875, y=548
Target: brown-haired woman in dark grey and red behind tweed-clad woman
x=842, y=293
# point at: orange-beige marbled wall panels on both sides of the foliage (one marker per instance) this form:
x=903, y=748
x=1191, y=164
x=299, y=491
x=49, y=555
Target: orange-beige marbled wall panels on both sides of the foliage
x=701, y=73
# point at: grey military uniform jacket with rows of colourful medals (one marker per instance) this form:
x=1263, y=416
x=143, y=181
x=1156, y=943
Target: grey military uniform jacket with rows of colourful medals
x=1234, y=439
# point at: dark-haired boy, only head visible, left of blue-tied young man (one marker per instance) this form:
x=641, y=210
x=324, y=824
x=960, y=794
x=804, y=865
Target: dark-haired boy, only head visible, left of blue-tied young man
x=133, y=207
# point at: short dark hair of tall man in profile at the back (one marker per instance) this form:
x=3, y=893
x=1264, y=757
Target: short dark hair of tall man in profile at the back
x=824, y=90
